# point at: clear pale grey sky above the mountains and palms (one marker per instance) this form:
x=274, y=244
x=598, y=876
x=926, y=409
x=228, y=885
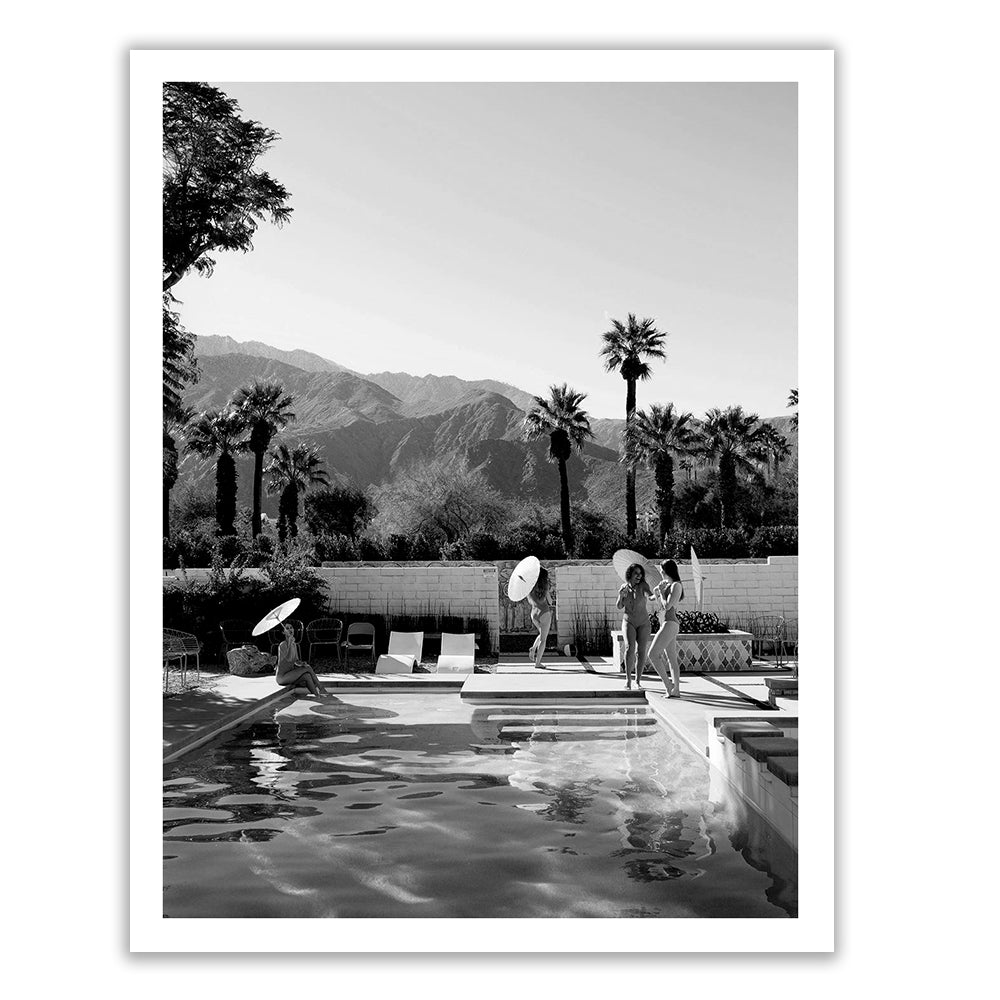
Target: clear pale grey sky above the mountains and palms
x=494, y=230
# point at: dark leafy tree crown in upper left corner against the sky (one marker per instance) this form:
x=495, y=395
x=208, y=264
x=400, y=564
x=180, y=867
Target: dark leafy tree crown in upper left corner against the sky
x=213, y=198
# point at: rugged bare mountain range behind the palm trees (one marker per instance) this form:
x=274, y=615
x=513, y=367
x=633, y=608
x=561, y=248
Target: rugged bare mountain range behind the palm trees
x=369, y=427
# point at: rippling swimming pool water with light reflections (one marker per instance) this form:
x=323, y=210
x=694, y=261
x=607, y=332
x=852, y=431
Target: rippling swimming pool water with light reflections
x=417, y=805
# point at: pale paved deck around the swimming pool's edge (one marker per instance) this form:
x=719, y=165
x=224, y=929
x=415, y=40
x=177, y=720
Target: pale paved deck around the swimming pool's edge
x=224, y=700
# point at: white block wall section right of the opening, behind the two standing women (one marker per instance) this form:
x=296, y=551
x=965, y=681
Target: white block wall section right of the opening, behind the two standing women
x=591, y=590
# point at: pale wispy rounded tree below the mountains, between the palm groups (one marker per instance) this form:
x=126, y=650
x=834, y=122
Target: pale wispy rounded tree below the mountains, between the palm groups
x=445, y=500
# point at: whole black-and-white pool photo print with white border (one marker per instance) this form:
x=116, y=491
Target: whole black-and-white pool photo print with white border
x=485, y=544
